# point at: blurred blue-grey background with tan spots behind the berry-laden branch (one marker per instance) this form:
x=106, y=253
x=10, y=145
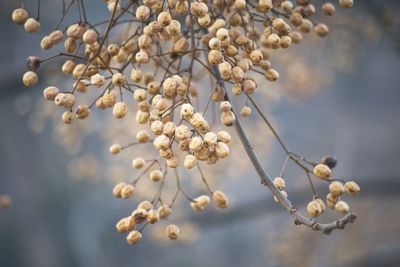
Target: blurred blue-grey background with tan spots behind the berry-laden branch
x=337, y=96
